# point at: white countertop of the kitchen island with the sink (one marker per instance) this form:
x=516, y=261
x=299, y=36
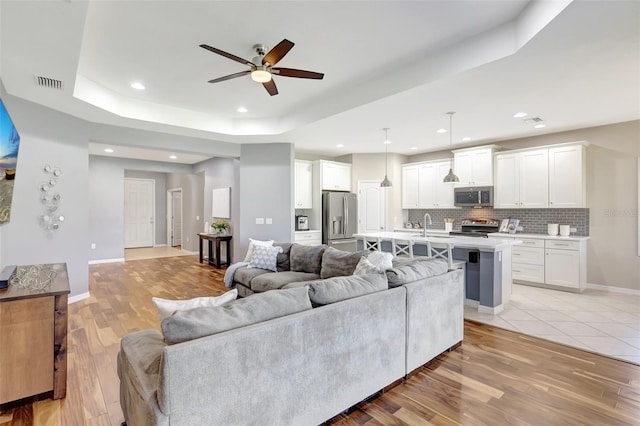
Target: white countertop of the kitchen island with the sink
x=482, y=244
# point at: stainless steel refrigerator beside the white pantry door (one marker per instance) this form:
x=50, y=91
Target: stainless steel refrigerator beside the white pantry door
x=340, y=220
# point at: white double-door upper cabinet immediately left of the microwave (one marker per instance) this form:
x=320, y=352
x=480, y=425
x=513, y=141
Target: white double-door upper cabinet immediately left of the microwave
x=423, y=186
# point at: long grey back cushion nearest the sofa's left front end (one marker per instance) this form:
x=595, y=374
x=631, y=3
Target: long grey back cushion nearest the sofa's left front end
x=195, y=323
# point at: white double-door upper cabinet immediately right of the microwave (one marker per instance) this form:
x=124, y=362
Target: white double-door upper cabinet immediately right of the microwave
x=521, y=179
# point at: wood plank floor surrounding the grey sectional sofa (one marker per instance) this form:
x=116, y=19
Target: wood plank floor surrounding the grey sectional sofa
x=497, y=377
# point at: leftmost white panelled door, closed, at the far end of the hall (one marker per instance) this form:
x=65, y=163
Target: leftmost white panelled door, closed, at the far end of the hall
x=139, y=208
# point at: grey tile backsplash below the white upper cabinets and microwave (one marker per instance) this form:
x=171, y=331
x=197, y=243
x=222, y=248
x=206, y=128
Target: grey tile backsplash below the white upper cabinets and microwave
x=533, y=221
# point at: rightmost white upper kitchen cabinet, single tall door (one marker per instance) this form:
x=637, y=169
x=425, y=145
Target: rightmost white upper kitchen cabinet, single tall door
x=567, y=187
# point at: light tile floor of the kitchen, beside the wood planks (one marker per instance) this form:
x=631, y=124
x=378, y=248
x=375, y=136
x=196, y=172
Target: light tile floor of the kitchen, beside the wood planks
x=595, y=320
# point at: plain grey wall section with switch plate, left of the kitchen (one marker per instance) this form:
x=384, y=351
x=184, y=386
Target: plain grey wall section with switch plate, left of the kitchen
x=266, y=191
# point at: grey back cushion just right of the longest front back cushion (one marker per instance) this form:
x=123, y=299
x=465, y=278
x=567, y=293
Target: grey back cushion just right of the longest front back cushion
x=331, y=290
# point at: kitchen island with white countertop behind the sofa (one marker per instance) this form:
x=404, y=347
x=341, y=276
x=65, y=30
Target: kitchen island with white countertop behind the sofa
x=487, y=269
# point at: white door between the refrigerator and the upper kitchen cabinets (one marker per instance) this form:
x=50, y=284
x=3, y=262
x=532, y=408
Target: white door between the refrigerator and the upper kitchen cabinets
x=372, y=207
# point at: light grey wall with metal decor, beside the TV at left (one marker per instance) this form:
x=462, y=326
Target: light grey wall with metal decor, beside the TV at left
x=59, y=140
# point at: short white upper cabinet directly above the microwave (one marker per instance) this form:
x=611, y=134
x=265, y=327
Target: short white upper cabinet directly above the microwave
x=474, y=166
